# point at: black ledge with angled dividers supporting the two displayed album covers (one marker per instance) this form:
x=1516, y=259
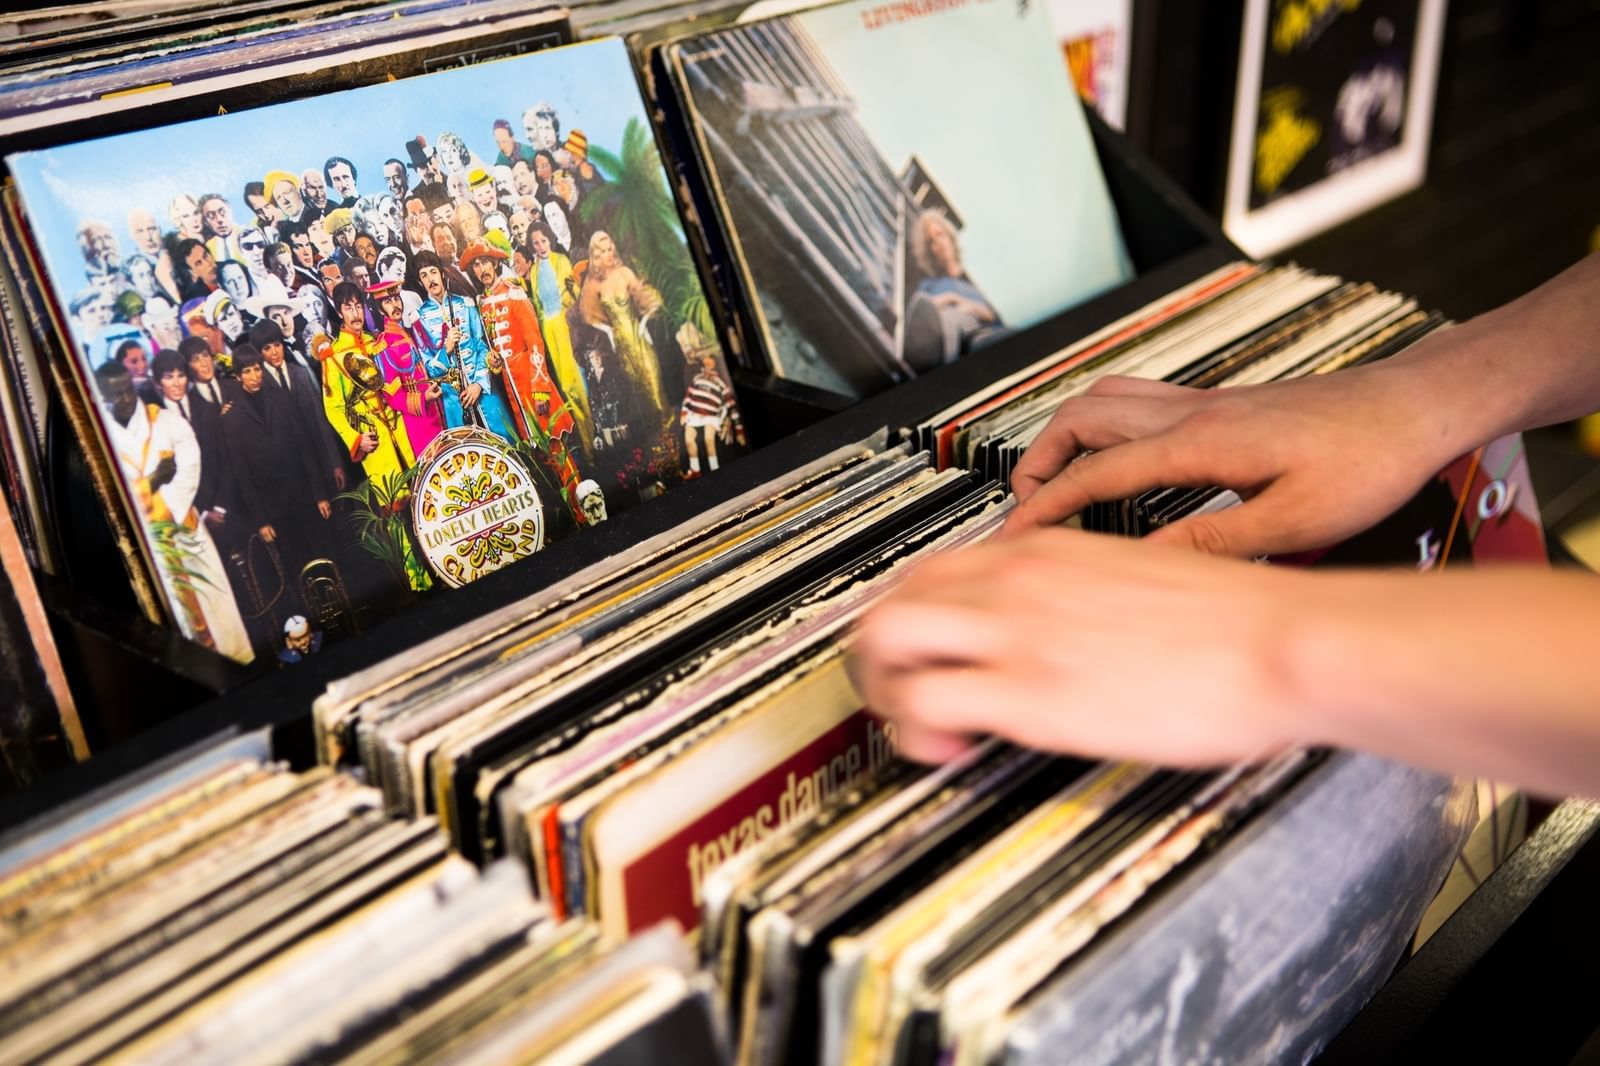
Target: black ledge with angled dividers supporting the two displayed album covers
x=146, y=692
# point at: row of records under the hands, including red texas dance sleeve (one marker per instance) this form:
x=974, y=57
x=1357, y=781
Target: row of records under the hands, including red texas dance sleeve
x=674, y=735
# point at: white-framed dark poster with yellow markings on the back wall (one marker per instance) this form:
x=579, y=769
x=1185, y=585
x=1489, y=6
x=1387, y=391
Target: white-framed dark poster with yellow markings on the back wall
x=1332, y=114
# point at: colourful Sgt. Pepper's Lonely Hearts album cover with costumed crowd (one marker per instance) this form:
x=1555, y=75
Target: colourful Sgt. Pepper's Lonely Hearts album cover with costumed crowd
x=348, y=350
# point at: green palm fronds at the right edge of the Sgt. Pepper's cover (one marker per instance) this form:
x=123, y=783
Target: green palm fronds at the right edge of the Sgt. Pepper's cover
x=636, y=207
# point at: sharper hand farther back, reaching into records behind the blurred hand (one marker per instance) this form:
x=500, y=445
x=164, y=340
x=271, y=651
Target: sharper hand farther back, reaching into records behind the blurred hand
x=1316, y=460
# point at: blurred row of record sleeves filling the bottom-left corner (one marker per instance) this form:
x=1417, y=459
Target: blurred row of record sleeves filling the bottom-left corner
x=226, y=910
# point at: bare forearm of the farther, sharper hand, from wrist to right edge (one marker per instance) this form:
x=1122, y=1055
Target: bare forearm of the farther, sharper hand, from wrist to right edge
x=1534, y=363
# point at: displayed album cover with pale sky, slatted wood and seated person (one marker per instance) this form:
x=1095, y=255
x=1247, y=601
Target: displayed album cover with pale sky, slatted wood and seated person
x=886, y=215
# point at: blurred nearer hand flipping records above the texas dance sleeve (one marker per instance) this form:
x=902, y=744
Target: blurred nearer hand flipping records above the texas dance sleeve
x=1087, y=644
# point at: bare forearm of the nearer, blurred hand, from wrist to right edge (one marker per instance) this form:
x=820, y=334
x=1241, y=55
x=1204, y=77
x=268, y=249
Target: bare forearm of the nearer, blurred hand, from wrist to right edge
x=1490, y=671
